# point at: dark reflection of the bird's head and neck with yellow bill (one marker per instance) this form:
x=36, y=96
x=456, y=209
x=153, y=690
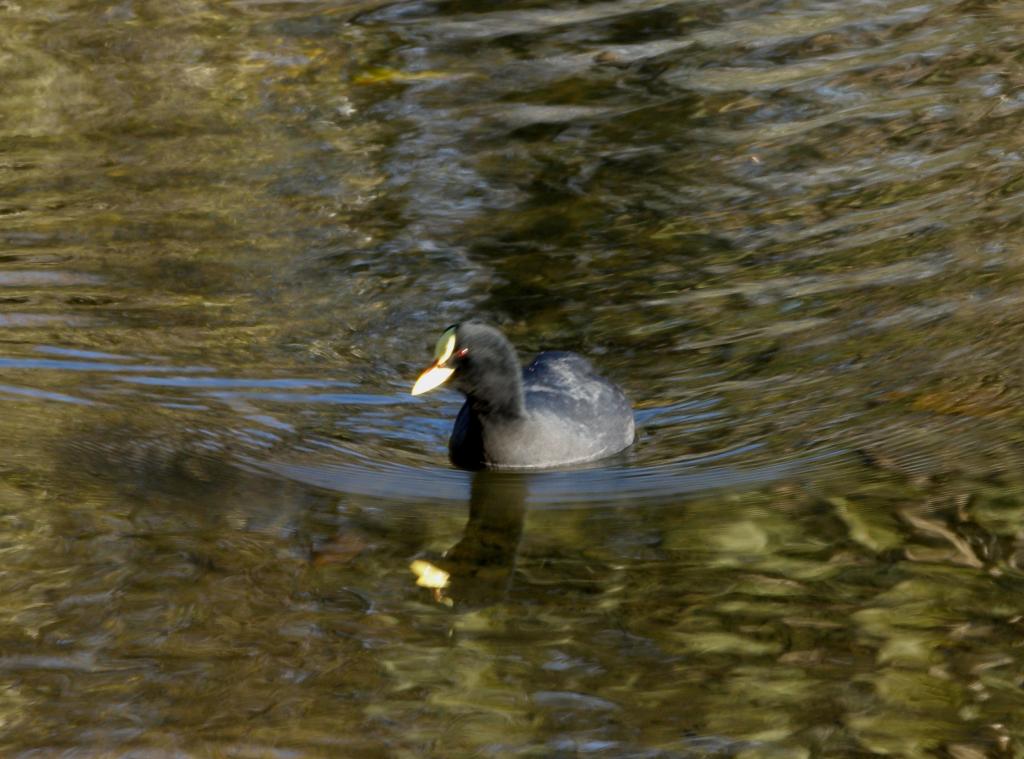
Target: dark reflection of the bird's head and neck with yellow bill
x=479, y=569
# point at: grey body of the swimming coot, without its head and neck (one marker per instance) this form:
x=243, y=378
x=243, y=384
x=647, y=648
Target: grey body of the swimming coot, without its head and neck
x=571, y=415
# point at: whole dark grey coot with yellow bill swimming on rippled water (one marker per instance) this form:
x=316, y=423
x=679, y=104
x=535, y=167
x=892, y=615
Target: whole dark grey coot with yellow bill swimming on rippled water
x=558, y=411
